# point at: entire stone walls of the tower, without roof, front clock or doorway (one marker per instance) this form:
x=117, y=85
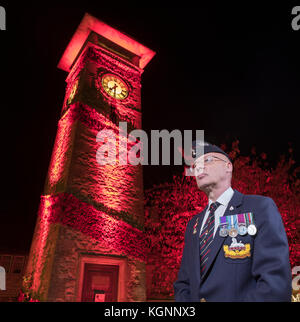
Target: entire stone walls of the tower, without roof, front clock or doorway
x=89, y=209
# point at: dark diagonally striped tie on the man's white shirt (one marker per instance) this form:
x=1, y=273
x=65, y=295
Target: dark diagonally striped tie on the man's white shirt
x=207, y=236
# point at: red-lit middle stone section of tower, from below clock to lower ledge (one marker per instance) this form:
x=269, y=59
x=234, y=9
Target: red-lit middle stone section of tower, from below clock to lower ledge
x=113, y=185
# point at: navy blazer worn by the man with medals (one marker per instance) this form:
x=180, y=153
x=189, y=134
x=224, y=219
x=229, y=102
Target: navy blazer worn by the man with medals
x=264, y=276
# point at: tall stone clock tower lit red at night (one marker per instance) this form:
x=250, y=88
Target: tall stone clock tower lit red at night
x=88, y=243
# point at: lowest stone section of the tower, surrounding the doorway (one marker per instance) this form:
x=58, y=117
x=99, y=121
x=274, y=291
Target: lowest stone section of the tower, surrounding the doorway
x=72, y=244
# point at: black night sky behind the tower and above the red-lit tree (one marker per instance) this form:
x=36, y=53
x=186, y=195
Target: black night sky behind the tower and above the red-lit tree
x=233, y=71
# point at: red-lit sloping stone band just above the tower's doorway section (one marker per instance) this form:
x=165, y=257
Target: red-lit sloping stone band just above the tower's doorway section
x=111, y=233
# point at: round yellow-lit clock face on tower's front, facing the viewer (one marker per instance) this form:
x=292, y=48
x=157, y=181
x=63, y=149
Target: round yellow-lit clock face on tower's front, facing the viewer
x=114, y=86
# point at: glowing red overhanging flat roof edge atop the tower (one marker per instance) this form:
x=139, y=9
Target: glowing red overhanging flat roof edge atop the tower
x=90, y=23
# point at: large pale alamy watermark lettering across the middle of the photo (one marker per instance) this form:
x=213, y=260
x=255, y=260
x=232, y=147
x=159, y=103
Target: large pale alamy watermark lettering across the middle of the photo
x=132, y=148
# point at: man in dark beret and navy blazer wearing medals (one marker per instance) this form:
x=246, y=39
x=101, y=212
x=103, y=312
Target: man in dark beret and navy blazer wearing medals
x=236, y=249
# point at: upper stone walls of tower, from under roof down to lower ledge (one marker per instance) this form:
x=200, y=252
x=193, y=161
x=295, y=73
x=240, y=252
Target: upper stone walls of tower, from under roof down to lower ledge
x=92, y=109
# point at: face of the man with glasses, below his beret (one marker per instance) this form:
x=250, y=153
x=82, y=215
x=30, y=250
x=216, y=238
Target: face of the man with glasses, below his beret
x=212, y=169
